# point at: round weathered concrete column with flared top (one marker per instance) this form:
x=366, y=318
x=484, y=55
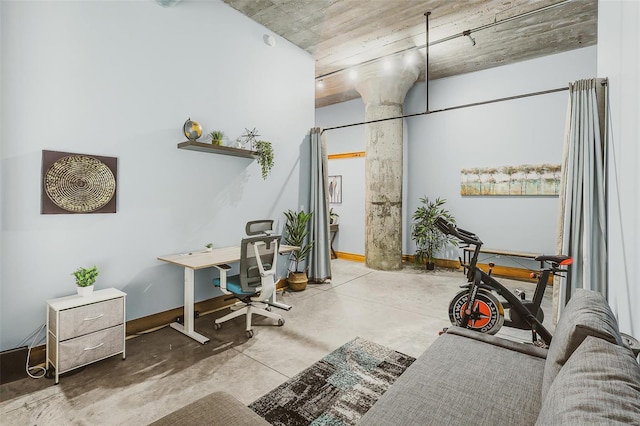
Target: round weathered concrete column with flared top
x=383, y=90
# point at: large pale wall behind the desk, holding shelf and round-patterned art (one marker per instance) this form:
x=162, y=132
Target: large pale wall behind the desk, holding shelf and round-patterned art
x=119, y=79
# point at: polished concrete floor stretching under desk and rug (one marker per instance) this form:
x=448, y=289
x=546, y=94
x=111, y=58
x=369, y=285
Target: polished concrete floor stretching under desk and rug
x=165, y=370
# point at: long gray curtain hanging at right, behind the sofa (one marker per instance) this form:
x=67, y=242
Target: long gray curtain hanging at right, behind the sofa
x=583, y=214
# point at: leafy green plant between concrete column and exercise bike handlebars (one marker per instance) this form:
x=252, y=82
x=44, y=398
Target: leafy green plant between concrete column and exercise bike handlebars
x=427, y=236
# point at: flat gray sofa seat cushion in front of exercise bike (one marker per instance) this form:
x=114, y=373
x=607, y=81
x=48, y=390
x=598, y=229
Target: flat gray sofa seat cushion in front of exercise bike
x=460, y=380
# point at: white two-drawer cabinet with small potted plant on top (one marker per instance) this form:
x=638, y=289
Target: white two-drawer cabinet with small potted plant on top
x=82, y=330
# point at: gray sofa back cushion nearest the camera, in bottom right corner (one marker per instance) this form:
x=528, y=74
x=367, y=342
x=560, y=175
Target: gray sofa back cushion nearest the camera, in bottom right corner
x=599, y=384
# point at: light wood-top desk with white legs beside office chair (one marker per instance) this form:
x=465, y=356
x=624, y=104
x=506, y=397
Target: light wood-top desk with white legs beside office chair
x=200, y=260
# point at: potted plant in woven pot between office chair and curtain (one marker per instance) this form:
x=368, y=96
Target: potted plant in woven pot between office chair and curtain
x=296, y=234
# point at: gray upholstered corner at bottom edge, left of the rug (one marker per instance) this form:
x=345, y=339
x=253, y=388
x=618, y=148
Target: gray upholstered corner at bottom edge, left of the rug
x=217, y=408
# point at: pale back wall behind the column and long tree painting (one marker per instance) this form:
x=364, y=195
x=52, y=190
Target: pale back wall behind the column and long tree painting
x=439, y=145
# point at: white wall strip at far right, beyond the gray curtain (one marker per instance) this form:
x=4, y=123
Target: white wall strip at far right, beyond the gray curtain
x=619, y=60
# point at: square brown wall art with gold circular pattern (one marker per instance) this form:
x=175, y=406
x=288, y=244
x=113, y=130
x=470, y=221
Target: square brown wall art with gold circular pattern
x=78, y=183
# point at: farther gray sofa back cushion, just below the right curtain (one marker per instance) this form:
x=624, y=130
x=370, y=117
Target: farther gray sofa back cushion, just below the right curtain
x=586, y=314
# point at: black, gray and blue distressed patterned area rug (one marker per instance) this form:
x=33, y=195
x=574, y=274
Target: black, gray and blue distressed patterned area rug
x=336, y=390
